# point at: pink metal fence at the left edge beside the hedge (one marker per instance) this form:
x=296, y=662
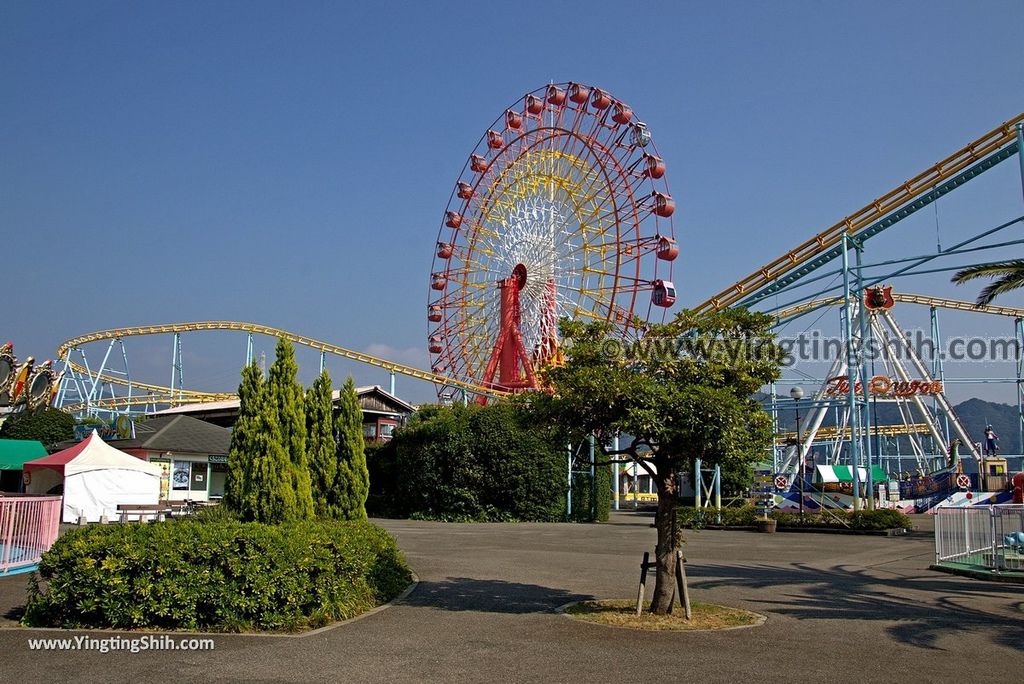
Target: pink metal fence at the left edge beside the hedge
x=29, y=526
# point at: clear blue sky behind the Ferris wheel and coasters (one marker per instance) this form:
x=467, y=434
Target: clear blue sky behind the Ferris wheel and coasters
x=289, y=163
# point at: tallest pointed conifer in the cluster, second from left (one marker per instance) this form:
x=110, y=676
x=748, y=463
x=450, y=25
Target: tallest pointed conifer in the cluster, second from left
x=286, y=405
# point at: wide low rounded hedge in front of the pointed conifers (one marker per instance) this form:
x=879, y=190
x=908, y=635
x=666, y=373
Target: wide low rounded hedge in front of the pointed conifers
x=230, y=577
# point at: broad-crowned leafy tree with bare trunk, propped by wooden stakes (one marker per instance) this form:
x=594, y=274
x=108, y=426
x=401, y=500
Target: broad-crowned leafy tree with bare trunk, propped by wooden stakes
x=681, y=404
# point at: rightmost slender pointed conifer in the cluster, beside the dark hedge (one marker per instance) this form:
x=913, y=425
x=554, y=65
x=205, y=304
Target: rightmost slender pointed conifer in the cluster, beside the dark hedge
x=353, y=479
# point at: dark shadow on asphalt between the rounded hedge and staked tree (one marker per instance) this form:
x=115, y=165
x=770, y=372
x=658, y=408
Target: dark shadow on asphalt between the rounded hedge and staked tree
x=489, y=596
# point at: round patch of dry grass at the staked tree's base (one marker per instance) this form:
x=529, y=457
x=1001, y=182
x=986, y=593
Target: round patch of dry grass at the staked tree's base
x=622, y=613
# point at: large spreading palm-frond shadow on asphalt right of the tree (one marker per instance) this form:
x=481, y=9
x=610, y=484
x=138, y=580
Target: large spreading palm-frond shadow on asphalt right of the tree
x=925, y=609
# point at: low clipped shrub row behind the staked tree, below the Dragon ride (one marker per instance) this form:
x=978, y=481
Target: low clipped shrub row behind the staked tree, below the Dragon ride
x=745, y=517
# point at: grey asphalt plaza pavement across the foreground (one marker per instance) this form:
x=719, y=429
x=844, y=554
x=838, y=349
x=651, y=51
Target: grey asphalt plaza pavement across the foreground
x=840, y=609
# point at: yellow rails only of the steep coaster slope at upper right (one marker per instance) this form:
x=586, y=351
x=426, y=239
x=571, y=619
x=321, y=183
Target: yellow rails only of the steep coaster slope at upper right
x=951, y=166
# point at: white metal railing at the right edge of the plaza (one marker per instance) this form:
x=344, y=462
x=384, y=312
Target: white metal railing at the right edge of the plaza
x=987, y=537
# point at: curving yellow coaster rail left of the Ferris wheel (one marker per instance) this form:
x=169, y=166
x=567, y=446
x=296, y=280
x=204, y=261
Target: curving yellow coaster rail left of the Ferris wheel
x=177, y=397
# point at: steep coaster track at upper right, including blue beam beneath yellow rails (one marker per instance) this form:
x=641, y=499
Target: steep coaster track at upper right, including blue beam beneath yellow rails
x=953, y=172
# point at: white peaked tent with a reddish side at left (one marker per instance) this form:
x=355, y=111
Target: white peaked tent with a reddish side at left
x=97, y=479
